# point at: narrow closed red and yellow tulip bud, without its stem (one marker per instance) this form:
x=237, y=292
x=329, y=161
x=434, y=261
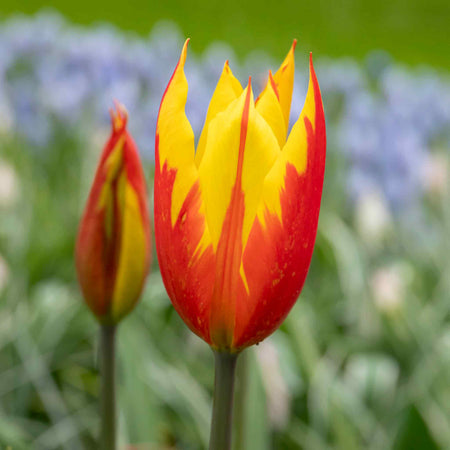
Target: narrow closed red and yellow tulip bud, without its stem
x=113, y=246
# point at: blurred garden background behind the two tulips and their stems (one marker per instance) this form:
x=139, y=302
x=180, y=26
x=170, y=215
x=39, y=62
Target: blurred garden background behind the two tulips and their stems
x=363, y=360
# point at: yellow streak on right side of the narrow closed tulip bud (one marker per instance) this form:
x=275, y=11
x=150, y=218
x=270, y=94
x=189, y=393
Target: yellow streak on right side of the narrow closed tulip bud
x=132, y=260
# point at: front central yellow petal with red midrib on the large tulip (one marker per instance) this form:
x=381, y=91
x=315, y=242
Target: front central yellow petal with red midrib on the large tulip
x=240, y=150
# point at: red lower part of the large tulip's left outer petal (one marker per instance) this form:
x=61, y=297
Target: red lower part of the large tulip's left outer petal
x=187, y=267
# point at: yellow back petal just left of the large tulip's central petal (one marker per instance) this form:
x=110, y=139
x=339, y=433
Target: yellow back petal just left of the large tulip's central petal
x=228, y=89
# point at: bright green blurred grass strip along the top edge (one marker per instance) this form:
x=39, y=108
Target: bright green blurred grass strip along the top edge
x=412, y=31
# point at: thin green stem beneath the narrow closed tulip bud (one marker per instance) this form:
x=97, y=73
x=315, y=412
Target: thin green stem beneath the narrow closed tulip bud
x=108, y=387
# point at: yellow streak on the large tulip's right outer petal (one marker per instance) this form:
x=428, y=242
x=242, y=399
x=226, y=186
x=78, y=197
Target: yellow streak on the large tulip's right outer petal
x=294, y=152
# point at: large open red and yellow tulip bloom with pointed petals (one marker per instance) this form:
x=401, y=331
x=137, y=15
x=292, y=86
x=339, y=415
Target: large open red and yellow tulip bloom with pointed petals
x=236, y=219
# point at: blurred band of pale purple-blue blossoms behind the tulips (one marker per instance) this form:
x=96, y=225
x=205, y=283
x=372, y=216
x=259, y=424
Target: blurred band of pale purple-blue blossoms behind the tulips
x=384, y=119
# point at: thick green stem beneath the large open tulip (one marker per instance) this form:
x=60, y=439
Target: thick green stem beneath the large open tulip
x=225, y=365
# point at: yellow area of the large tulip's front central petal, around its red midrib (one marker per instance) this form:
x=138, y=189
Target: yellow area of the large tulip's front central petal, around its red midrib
x=218, y=167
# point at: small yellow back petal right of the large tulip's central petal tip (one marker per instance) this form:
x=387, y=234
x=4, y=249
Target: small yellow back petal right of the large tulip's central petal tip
x=268, y=105
